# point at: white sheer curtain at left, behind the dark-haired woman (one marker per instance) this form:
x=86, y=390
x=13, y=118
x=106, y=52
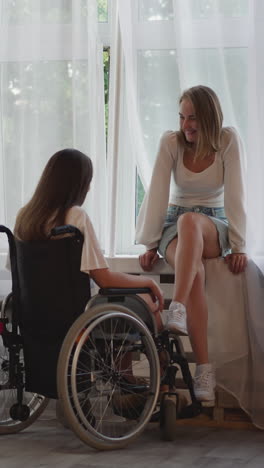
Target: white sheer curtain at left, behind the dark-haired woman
x=52, y=96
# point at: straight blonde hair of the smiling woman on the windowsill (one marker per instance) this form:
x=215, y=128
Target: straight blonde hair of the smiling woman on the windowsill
x=209, y=116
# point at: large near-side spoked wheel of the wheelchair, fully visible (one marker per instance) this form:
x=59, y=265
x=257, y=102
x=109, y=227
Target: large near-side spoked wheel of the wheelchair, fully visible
x=108, y=376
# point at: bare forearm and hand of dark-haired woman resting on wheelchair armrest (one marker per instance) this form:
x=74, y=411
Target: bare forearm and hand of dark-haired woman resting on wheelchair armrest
x=106, y=278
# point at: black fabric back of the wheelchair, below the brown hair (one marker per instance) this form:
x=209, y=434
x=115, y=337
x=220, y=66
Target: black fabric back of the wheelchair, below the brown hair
x=52, y=293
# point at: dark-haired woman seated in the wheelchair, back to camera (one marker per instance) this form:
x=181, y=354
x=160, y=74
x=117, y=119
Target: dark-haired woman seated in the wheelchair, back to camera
x=58, y=201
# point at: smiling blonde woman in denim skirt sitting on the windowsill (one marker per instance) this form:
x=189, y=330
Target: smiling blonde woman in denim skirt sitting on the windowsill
x=200, y=215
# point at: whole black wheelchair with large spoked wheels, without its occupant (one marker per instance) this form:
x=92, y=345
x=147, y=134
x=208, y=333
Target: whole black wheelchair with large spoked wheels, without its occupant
x=99, y=356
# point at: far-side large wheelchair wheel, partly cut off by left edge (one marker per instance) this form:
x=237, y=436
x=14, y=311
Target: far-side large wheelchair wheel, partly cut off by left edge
x=33, y=404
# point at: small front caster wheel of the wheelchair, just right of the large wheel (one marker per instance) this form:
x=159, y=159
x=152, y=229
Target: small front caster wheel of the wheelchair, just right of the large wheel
x=168, y=417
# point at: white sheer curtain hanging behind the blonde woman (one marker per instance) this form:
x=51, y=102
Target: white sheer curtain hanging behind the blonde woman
x=166, y=46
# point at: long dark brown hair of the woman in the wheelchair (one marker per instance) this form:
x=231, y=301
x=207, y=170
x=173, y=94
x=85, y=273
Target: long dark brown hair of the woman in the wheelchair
x=64, y=183
